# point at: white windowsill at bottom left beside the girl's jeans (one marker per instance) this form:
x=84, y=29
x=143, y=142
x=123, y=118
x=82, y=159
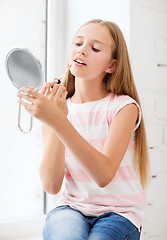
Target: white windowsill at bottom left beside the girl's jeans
x=22, y=228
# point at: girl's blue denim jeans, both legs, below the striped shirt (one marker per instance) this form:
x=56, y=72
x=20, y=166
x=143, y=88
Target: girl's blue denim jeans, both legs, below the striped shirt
x=66, y=223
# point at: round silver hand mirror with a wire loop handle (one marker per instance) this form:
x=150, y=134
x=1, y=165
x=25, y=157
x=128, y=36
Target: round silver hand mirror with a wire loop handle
x=24, y=70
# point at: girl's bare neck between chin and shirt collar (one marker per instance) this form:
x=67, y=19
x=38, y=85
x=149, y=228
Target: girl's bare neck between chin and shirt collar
x=88, y=91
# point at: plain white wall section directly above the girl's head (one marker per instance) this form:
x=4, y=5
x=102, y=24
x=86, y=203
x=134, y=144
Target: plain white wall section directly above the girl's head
x=79, y=12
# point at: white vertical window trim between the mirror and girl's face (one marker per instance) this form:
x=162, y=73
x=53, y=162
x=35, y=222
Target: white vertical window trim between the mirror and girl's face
x=56, y=30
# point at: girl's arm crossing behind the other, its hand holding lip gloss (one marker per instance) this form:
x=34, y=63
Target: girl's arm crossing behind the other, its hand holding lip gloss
x=53, y=160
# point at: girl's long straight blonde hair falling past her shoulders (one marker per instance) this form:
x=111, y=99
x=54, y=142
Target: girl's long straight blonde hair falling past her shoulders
x=121, y=82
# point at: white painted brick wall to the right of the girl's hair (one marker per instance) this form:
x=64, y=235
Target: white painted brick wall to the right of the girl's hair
x=148, y=48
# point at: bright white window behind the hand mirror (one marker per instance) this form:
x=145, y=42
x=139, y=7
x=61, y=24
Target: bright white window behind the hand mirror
x=22, y=25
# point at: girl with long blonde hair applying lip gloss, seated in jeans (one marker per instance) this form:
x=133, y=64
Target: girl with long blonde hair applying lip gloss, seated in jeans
x=95, y=148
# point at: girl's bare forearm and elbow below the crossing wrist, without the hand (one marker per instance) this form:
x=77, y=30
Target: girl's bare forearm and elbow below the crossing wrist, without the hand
x=53, y=161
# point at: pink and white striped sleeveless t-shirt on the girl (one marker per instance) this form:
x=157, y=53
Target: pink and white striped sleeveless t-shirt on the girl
x=124, y=194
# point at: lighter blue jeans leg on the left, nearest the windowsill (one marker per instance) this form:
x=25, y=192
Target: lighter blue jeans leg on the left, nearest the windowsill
x=65, y=223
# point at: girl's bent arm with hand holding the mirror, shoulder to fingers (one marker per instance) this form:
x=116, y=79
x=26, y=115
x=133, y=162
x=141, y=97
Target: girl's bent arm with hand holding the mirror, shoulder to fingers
x=101, y=166
